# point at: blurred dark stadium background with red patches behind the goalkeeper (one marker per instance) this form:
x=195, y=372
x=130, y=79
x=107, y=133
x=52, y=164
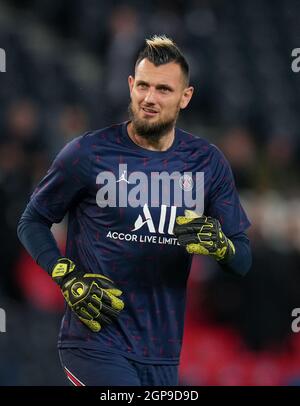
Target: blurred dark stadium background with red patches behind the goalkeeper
x=67, y=68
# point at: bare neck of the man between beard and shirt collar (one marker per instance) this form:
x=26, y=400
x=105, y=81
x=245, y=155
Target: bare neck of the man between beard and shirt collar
x=161, y=144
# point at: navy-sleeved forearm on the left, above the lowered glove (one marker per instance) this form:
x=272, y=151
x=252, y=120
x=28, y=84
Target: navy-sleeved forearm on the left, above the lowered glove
x=35, y=235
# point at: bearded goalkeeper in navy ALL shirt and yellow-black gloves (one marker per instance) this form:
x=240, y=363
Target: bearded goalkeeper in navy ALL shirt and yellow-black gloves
x=124, y=276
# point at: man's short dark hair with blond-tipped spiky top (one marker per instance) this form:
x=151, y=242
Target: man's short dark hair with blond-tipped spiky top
x=160, y=50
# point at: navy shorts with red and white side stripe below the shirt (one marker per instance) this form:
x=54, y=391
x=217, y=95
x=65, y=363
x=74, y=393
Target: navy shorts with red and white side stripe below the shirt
x=86, y=367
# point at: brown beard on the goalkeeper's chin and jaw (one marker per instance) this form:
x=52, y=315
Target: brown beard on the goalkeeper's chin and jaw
x=153, y=131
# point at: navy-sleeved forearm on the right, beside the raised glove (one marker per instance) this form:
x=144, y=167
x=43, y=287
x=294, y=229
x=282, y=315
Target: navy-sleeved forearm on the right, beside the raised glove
x=241, y=262
